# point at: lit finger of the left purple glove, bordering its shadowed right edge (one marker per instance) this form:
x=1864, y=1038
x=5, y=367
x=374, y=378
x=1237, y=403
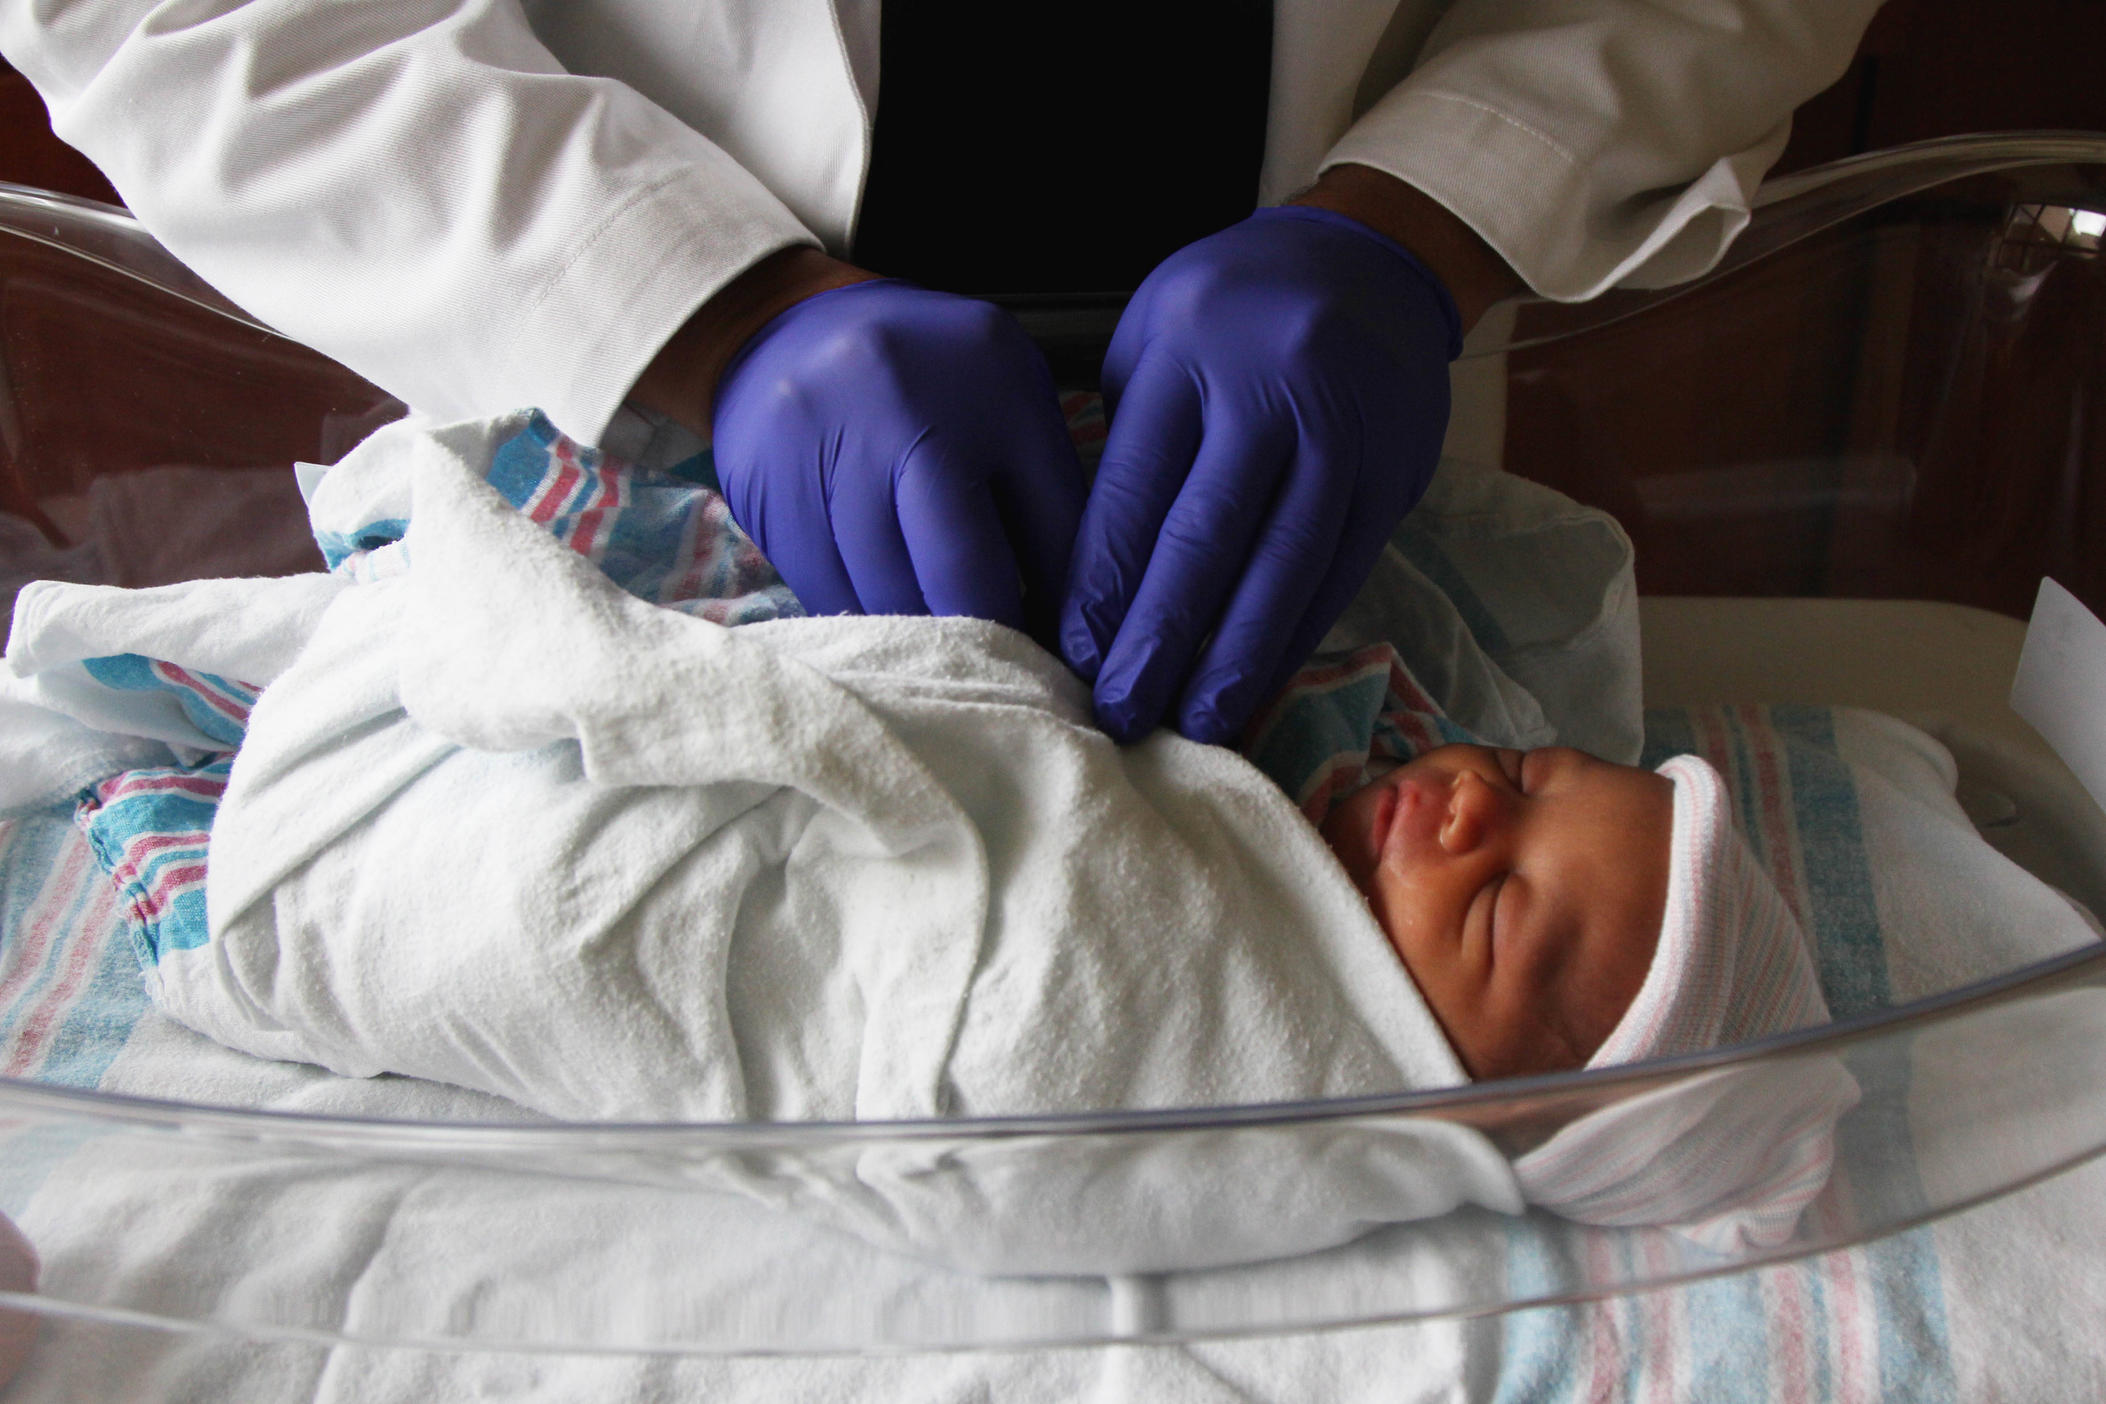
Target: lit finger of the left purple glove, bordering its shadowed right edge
x=955, y=538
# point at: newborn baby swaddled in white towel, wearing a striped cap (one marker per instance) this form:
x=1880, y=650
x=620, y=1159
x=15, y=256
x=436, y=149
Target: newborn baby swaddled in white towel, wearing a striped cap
x=614, y=862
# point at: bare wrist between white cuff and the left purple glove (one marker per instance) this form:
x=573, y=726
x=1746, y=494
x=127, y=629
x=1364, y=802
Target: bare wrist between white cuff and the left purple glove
x=681, y=380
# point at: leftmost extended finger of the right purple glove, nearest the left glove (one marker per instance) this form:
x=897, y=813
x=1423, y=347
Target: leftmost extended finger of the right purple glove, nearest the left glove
x=1147, y=458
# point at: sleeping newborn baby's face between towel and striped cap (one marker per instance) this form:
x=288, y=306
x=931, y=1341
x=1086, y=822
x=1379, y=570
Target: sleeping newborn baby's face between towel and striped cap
x=1524, y=891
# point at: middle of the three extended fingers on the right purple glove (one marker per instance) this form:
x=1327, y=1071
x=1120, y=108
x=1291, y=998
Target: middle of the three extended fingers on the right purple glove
x=1191, y=578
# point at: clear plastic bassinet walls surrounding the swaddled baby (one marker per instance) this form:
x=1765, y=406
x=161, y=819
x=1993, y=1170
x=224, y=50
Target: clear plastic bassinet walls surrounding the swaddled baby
x=1894, y=384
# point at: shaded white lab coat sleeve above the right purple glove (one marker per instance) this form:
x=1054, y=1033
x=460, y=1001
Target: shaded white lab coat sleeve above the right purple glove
x=1606, y=142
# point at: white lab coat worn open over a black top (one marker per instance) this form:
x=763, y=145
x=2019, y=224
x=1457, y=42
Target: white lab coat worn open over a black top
x=496, y=203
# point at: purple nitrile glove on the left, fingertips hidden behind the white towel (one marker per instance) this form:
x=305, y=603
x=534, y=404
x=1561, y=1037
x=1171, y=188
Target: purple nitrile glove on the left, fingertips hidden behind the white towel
x=898, y=452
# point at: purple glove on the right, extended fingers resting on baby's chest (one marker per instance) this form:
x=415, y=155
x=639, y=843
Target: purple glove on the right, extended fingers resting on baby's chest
x=1279, y=397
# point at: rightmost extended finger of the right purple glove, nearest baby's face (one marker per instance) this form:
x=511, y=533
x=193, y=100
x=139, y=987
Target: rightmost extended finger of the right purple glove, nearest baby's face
x=1307, y=555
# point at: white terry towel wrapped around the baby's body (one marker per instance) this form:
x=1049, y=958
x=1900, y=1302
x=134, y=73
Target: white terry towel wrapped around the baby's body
x=509, y=828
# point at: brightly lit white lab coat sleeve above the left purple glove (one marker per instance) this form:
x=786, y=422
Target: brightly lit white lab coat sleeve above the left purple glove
x=416, y=188
